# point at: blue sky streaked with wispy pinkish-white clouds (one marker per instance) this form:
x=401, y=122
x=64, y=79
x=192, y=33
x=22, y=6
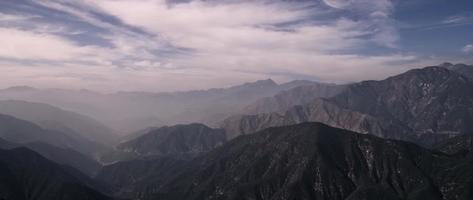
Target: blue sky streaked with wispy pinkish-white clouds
x=167, y=45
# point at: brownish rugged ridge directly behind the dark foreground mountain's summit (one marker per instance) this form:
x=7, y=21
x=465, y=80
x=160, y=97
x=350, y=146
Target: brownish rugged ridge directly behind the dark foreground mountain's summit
x=319, y=110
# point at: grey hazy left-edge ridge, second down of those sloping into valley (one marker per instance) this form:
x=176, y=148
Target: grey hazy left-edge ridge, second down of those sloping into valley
x=24, y=132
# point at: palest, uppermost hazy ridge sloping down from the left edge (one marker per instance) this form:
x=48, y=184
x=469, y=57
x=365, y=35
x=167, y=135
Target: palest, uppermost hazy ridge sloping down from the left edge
x=53, y=118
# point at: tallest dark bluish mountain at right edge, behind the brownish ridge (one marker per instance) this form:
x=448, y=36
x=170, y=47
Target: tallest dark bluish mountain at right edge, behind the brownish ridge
x=429, y=100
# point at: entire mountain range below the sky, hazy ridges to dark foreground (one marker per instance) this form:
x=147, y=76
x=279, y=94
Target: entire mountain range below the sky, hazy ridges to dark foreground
x=408, y=136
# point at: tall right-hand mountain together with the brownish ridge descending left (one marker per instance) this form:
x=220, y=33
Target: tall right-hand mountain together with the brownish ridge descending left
x=422, y=105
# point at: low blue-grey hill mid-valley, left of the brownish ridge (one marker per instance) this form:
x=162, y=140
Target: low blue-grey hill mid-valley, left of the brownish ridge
x=177, y=141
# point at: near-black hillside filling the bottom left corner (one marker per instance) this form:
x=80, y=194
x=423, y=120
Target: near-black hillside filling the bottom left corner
x=25, y=175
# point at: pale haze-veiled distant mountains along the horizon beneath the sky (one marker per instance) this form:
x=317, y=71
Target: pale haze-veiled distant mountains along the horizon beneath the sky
x=131, y=111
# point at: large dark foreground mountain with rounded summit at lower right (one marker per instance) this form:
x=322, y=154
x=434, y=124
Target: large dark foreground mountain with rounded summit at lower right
x=308, y=161
